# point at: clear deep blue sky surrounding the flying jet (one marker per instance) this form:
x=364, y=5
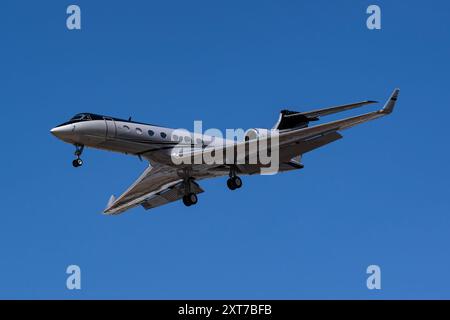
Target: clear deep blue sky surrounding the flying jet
x=379, y=196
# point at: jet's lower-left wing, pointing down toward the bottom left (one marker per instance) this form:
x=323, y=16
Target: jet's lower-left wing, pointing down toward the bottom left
x=156, y=186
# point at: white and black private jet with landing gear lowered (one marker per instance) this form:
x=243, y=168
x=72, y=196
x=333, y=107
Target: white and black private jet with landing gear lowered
x=165, y=181
